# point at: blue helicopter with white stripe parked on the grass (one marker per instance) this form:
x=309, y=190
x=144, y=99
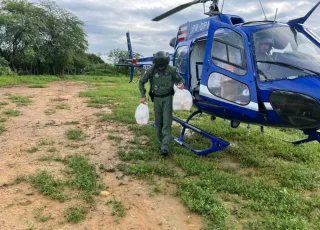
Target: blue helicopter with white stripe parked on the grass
x=265, y=73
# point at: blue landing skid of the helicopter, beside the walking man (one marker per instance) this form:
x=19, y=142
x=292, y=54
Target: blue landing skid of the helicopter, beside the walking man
x=217, y=144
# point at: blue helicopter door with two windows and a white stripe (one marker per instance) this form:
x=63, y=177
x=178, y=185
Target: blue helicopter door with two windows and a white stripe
x=227, y=74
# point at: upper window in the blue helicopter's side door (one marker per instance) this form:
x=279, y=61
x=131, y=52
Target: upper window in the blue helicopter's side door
x=227, y=51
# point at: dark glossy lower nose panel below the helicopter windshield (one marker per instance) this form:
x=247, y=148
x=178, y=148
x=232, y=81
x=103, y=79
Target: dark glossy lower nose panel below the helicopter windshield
x=297, y=109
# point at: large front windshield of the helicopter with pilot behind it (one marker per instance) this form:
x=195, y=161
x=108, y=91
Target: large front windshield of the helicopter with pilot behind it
x=285, y=53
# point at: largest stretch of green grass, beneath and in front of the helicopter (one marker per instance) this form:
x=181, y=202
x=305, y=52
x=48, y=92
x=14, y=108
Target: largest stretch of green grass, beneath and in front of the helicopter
x=258, y=182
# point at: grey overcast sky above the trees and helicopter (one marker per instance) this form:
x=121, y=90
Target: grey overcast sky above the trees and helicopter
x=107, y=21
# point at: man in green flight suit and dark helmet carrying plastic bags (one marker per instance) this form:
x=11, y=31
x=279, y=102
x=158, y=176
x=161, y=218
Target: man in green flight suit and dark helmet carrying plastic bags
x=162, y=77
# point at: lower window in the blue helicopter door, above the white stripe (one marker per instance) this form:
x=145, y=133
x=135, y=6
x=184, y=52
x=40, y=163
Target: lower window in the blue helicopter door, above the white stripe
x=228, y=89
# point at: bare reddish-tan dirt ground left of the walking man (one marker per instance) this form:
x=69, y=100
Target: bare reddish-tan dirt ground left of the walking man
x=40, y=120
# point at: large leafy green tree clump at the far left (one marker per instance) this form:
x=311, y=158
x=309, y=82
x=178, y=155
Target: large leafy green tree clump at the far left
x=41, y=37
